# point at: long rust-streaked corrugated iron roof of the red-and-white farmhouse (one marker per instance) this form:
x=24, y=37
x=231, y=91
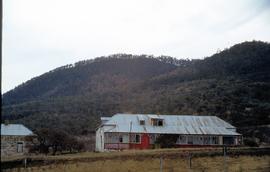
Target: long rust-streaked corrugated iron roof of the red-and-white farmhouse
x=173, y=124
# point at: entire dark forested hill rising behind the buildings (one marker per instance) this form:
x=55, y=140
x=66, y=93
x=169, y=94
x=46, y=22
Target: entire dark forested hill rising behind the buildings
x=233, y=84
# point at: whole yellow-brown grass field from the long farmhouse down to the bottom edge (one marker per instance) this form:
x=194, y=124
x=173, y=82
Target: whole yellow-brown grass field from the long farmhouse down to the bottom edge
x=148, y=160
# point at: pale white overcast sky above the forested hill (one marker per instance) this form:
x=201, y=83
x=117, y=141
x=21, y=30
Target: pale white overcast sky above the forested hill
x=40, y=35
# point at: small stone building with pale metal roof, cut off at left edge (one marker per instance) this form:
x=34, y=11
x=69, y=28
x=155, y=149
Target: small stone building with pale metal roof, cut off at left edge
x=16, y=139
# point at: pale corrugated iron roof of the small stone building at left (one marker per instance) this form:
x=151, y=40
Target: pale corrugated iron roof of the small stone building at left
x=15, y=130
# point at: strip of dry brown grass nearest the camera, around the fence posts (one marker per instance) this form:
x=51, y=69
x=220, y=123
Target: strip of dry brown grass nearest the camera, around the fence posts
x=199, y=164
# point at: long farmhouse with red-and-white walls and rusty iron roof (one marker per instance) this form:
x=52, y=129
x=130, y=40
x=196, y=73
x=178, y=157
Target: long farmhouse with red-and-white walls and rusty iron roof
x=141, y=131
